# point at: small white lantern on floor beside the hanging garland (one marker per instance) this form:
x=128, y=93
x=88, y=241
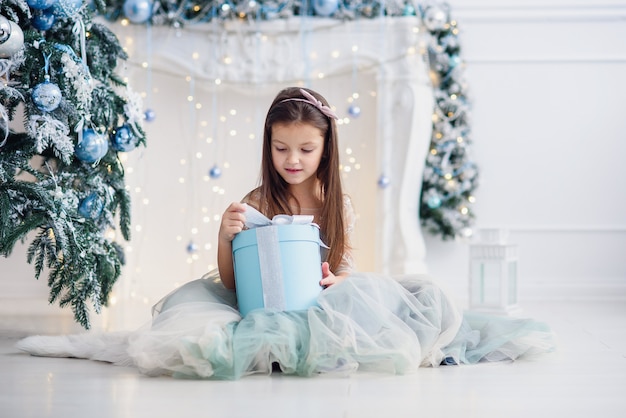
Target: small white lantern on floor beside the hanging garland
x=493, y=274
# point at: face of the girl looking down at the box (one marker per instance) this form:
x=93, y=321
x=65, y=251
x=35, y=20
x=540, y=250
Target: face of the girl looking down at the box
x=297, y=150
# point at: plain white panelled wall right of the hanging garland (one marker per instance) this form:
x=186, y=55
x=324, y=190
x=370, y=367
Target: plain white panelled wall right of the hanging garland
x=547, y=81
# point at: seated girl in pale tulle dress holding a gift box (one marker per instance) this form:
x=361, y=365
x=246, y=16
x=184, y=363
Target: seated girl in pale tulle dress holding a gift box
x=362, y=321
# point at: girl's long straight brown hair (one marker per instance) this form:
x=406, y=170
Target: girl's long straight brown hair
x=274, y=191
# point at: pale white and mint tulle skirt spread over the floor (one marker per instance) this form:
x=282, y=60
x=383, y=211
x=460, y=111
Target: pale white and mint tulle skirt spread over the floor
x=367, y=322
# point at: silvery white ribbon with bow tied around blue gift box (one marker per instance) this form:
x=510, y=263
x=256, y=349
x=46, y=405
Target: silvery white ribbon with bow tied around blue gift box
x=268, y=246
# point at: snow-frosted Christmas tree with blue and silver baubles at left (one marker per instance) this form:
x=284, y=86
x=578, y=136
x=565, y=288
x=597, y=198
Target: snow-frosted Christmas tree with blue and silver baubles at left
x=65, y=115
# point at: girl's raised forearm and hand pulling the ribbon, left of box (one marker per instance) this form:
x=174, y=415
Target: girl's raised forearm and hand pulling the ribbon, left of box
x=232, y=223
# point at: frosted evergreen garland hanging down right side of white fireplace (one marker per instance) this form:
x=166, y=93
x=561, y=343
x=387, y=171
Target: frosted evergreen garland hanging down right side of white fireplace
x=450, y=176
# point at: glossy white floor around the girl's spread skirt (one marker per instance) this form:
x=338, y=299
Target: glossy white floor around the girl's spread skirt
x=585, y=377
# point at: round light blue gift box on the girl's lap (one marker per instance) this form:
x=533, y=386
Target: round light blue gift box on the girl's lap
x=277, y=267
